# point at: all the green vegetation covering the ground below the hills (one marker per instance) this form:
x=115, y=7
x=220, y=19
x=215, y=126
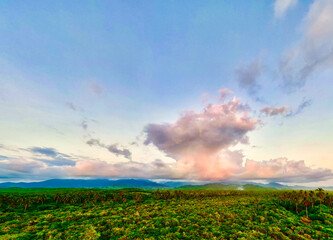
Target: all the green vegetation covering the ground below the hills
x=166, y=214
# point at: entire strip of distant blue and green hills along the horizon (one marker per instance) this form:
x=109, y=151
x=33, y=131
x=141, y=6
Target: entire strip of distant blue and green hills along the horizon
x=147, y=184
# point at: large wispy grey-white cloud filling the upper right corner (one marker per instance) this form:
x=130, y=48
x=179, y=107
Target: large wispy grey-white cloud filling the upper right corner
x=314, y=52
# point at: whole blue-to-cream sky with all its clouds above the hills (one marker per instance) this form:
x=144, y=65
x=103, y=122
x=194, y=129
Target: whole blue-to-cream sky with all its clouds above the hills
x=180, y=90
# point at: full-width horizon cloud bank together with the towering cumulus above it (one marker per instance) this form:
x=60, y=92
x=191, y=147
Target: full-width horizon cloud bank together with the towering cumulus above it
x=202, y=145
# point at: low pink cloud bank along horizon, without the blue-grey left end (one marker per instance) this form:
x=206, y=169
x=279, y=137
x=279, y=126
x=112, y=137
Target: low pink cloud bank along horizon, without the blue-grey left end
x=227, y=165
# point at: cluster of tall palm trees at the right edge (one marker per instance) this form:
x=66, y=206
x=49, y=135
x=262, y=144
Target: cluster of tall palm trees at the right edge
x=305, y=199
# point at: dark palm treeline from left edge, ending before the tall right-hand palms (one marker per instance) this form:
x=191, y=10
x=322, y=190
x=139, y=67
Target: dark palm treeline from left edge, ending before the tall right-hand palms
x=14, y=200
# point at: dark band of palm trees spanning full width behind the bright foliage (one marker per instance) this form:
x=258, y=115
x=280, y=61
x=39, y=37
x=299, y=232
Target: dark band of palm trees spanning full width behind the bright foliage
x=292, y=200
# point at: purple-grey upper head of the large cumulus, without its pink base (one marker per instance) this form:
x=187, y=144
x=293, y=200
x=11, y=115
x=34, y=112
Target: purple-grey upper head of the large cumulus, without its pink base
x=217, y=127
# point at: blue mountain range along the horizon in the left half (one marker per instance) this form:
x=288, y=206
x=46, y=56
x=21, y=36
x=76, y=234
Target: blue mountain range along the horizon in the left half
x=86, y=183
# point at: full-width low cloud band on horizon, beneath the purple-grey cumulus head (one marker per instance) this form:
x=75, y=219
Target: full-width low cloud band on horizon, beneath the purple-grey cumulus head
x=204, y=165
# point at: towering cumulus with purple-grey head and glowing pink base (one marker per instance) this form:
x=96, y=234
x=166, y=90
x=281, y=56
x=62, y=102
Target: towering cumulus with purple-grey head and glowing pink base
x=197, y=140
